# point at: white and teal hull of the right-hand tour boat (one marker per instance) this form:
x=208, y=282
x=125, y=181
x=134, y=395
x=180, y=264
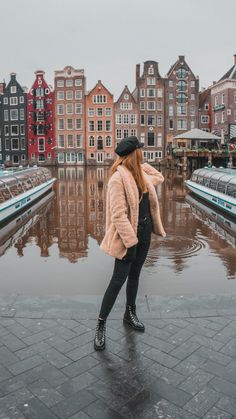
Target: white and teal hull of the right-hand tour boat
x=219, y=200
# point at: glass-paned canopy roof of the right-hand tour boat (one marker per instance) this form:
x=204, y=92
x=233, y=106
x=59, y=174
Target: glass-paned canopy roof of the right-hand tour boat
x=223, y=181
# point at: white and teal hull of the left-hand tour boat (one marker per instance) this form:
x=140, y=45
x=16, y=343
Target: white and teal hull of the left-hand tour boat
x=11, y=207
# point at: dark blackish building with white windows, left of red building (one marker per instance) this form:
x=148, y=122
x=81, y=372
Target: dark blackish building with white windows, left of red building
x=13, y=124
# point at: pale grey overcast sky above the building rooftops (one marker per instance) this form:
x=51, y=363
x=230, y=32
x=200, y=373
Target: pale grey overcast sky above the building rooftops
x=107, y=38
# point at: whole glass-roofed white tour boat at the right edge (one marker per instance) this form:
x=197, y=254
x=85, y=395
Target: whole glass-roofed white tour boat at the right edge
x=217, y=186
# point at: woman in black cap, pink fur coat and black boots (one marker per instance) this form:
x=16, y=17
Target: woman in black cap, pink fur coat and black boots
x=132, y=214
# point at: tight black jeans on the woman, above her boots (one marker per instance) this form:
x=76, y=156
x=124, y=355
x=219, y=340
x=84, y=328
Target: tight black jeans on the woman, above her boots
x=124, y=269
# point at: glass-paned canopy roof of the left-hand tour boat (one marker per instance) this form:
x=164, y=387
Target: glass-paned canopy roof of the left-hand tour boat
x=16, y=183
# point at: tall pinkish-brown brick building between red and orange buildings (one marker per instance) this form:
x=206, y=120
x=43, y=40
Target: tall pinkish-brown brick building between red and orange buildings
x=69, y=110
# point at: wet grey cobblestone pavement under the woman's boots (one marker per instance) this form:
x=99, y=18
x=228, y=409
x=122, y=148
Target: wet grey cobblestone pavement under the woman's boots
x=183, y=366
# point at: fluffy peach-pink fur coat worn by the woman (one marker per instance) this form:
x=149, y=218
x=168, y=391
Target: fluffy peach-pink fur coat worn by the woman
x=122, y=206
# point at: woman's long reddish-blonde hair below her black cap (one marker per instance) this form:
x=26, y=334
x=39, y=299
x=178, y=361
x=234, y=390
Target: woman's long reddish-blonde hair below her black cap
x=133, y=163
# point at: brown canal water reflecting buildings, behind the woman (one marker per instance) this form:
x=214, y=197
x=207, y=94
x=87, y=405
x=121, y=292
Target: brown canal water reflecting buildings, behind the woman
x=53, y=248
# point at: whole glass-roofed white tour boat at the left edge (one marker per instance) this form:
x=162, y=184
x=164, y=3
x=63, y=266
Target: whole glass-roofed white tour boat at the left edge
x=19, y=188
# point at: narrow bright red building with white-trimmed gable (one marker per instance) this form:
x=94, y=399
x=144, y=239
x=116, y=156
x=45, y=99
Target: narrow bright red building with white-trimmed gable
x=40, y=108
